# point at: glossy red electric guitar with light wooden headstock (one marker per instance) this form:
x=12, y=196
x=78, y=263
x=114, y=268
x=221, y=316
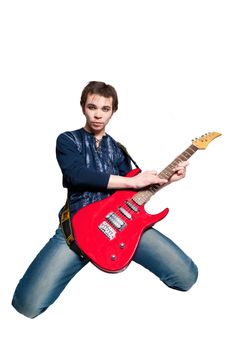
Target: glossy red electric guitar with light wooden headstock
x=108, y=231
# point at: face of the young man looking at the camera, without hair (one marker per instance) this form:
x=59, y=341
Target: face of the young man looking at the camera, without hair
x=98, y=111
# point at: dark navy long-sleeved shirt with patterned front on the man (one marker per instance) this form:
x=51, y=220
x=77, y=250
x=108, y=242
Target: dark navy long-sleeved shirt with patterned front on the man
x=85, y=169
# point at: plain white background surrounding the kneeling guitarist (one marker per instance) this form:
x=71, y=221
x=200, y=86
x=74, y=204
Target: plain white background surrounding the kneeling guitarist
x=171, y=63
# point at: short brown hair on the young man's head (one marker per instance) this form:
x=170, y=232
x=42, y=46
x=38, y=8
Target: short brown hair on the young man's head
x=102, y=89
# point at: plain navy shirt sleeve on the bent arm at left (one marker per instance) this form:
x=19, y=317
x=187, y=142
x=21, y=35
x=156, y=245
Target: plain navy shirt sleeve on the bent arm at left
x=72, y=164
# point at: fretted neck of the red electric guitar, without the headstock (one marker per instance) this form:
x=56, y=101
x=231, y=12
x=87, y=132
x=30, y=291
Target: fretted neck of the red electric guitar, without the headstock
x=143, y=196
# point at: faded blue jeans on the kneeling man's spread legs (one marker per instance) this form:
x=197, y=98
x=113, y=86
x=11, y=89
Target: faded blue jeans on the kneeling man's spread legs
x=56, y=265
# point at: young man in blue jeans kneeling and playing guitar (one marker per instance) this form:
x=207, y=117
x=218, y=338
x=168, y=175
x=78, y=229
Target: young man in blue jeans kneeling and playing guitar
x=93, y=165
